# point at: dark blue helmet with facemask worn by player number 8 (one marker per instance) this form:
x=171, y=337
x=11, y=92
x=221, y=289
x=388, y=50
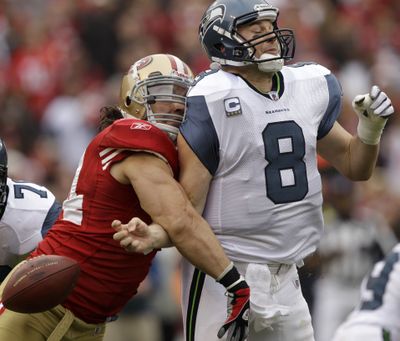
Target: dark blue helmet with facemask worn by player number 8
x=219, y=36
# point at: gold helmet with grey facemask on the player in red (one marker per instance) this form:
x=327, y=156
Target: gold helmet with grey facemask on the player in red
x=151, y=86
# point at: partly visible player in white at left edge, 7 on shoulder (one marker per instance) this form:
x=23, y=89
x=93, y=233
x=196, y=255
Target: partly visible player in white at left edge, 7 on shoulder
x=27, y=211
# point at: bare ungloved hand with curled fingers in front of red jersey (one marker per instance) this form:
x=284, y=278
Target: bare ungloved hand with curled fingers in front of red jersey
x=134, y=236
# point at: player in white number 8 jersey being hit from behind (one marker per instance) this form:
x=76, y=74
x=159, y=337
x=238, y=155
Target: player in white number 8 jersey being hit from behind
x=248, y=160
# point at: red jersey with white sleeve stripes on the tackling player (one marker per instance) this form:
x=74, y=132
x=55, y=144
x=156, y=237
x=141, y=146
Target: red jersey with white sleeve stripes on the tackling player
x=109, y=275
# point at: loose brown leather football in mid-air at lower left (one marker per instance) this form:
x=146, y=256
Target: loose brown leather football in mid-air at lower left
x=40, y=284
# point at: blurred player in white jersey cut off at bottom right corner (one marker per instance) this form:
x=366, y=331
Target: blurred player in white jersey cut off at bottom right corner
x=377, y=316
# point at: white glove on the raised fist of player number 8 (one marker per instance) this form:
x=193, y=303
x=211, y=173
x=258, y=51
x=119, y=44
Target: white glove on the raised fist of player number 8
x=373, y=110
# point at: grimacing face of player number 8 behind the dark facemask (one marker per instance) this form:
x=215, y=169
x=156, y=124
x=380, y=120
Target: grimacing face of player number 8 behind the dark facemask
x=259, y=29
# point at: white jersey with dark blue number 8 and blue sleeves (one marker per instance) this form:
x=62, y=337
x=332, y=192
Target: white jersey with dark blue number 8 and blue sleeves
x=265, y=201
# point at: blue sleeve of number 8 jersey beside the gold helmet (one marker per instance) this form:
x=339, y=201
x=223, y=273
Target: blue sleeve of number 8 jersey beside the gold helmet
x=199, y=132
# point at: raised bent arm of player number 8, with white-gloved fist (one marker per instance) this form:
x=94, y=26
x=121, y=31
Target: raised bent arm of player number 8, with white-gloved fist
x=355, y=156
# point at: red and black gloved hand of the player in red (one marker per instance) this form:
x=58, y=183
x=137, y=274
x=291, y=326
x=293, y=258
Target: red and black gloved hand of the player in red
x=237, y=323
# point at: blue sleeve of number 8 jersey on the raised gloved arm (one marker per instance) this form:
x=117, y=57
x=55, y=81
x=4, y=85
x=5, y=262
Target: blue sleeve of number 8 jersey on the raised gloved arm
x=334, y=106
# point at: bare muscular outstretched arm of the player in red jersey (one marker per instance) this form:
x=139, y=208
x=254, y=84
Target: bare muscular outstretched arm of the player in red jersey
x=167, y=204
